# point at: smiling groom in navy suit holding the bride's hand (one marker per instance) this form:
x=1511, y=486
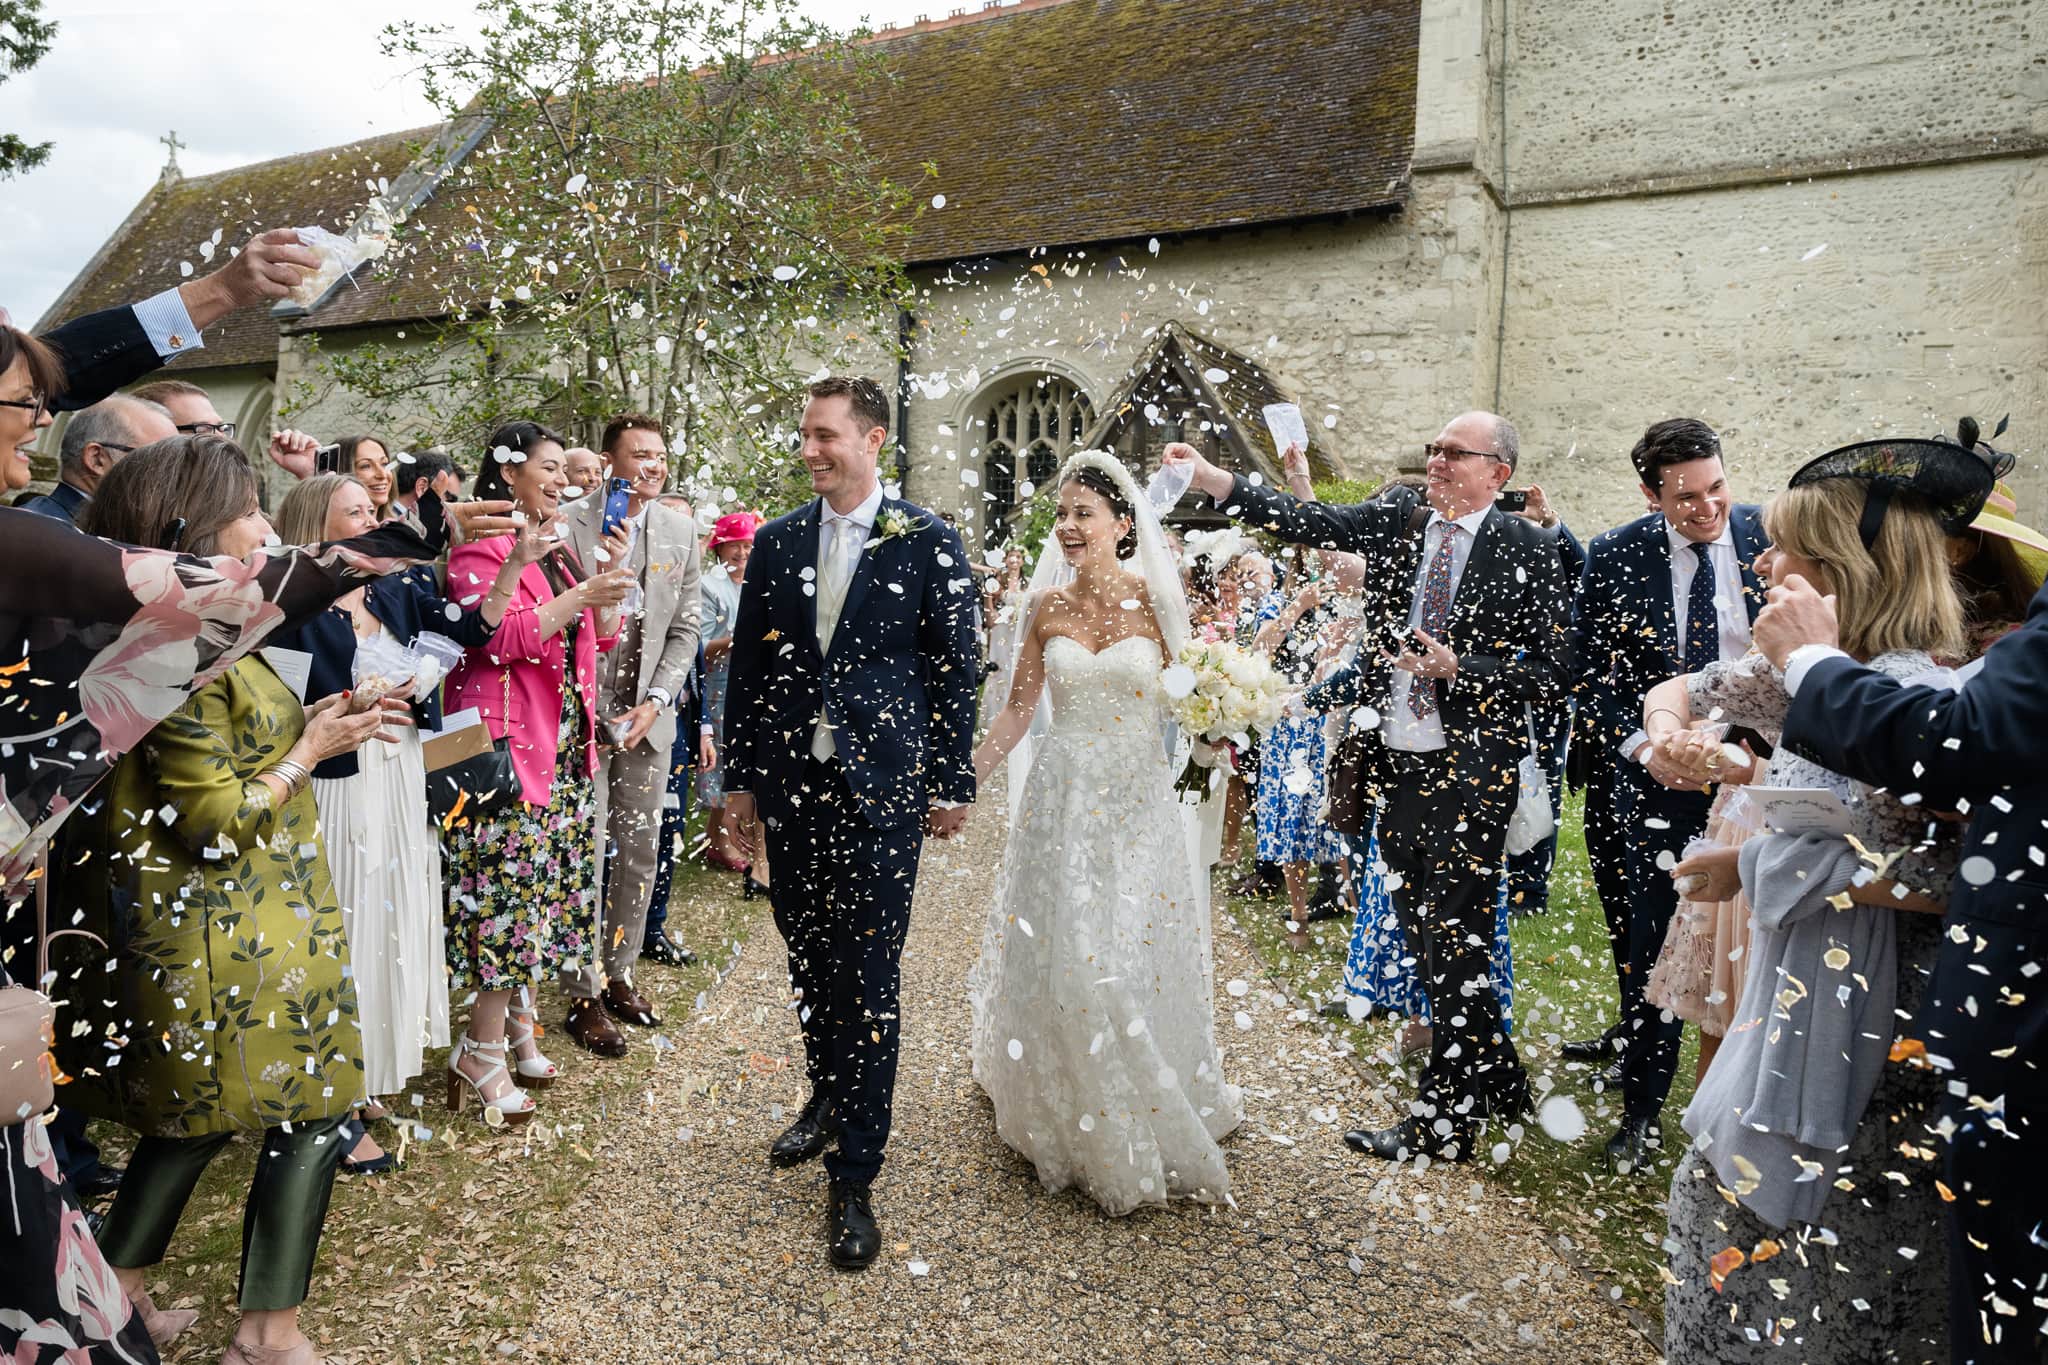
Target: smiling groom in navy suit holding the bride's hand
x=849, y=732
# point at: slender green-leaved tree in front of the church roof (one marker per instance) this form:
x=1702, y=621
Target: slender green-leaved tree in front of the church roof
x=671, y=212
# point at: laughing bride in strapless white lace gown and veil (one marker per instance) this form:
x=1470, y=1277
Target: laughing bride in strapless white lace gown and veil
x=1095, y=1028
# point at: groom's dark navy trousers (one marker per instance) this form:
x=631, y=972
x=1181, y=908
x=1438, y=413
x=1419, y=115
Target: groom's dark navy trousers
x=841, y=893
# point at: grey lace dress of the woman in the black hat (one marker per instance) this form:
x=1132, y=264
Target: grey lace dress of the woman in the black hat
x=1873, y=1282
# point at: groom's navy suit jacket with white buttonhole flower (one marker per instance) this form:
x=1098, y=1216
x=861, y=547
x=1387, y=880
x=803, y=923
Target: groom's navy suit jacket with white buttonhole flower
x=898, y=685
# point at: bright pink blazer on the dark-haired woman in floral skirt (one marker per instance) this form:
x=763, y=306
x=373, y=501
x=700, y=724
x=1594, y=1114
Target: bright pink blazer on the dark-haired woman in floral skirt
x=531, y=666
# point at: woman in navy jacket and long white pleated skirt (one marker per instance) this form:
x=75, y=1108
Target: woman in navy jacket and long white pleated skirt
x=372, y=803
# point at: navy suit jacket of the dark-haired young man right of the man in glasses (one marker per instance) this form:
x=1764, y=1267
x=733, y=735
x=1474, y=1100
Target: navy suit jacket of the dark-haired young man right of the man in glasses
x=1625, y=631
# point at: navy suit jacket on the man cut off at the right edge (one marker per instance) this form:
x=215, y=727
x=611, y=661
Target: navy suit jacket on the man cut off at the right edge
x=1981, y=750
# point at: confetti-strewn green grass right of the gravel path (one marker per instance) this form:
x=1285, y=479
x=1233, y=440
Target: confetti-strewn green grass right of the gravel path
x=1611, y=1225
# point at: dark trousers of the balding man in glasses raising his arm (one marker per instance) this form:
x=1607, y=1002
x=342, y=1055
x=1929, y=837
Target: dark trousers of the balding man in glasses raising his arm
x=1445, y=832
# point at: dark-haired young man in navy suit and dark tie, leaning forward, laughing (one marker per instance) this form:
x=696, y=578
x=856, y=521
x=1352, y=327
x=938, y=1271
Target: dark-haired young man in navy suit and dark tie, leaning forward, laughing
x=1662, y=597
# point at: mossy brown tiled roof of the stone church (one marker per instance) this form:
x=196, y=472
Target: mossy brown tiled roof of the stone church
x=1050, y=126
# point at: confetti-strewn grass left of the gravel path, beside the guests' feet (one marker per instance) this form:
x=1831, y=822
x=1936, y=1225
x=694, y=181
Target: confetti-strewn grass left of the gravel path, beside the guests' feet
x=439, y=1262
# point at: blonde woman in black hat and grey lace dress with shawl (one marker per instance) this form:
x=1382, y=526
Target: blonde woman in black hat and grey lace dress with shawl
x=1826, y=1145
